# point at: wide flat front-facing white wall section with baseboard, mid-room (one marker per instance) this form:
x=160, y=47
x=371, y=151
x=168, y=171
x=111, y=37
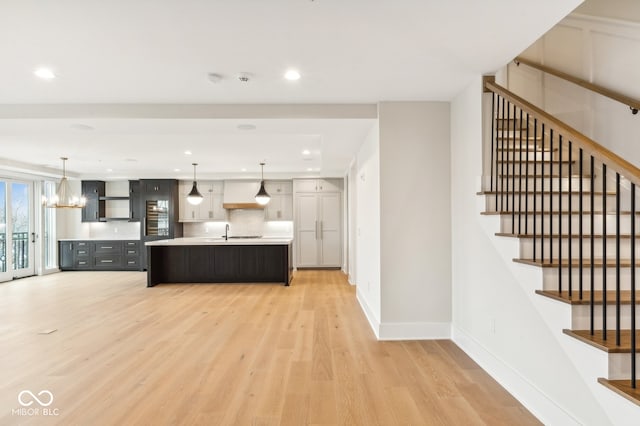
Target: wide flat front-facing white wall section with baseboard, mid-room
x=415, y=220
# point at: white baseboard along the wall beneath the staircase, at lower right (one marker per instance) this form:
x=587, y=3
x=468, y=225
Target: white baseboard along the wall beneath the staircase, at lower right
x=541, y=406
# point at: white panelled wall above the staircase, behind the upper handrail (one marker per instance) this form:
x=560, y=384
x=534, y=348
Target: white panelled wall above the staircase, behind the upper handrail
x=598, y=50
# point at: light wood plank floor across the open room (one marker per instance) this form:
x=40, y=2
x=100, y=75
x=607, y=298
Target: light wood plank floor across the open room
x=124, y=354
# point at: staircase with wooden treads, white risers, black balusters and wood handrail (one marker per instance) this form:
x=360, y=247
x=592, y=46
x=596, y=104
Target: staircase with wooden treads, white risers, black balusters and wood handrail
x=572, y=206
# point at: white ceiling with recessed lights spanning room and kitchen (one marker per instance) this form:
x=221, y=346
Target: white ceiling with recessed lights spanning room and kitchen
x=160, y=52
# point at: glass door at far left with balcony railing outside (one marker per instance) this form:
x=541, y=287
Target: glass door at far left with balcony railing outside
x=16, y=230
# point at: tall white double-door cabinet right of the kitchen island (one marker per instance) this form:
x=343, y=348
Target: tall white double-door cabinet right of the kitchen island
x=318, y=222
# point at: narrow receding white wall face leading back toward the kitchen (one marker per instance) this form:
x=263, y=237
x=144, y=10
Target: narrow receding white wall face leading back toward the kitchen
x=367, y=227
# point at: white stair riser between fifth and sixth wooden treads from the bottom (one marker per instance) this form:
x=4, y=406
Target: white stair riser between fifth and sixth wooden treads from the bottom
x=550, y=223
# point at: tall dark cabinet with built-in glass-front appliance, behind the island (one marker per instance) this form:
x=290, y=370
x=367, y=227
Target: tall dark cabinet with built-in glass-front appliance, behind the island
x=159, y=209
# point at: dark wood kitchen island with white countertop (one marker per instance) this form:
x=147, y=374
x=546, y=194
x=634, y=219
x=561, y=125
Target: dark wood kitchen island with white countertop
x=216, y=260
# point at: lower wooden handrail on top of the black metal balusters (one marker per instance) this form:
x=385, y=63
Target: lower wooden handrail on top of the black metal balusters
x=589, y=146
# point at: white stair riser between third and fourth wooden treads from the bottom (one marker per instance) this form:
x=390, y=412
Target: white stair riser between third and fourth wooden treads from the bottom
x=550, y=278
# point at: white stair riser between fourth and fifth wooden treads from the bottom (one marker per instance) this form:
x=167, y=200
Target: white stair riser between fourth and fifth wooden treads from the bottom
x=562, y=247
